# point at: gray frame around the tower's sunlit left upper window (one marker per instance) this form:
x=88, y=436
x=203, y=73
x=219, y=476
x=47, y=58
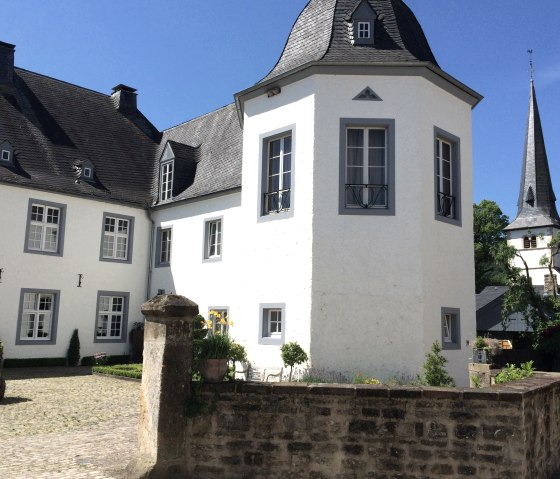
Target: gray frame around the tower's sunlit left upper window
x=264, y=140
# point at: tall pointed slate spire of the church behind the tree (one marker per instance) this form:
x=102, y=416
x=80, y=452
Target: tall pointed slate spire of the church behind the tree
x=536, y=206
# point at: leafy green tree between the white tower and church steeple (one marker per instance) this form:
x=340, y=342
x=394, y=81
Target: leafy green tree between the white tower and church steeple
x=491, y=267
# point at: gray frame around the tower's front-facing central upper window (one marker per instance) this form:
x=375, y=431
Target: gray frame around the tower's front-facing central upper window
x=389, y=125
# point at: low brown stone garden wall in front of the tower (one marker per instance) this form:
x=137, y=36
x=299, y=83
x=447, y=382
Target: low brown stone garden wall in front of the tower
x=352, y=432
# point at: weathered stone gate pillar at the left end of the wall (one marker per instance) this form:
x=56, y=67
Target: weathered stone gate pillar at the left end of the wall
x=166, y=379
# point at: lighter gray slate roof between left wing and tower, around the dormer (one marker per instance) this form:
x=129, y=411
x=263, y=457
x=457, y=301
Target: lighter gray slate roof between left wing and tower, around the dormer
x=218, y=140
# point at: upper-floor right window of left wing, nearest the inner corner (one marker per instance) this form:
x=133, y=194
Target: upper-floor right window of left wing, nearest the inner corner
x=116, y=244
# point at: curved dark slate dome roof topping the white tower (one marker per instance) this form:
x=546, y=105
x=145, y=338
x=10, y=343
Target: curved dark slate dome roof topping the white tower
x=322, y=34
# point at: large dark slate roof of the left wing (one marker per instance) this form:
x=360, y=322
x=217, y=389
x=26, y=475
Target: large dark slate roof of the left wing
x=55, y=126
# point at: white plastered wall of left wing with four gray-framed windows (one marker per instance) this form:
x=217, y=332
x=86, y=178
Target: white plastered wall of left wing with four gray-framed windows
x=82, y=239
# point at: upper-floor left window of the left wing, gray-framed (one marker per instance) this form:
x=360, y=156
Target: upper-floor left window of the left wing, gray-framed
x=45, y=228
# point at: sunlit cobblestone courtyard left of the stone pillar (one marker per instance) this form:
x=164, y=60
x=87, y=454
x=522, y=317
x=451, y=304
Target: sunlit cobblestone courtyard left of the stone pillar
x=65, y=423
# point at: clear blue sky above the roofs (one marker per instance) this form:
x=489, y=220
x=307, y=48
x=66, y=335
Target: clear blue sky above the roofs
x=188, y=58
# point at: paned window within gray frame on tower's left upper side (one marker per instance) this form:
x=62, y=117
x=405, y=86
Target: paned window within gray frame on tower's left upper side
x=279, y=175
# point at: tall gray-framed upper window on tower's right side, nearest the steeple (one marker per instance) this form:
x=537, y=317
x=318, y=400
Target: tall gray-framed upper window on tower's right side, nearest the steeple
x=447, y=180
